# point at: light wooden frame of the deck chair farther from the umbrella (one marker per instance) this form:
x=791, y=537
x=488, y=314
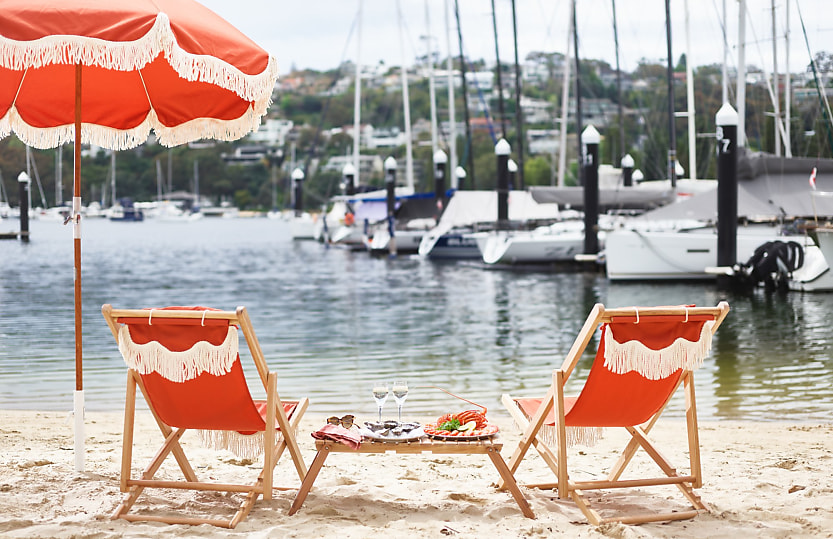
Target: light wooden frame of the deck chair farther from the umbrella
x=557, y=459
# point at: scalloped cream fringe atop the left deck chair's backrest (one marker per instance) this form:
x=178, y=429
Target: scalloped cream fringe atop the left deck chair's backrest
x=179, y=366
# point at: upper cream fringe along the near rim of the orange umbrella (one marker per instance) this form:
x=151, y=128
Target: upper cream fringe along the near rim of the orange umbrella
x=127, y=56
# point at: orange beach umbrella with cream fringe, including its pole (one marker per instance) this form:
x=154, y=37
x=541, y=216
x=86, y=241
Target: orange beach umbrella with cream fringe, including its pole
x=108, y=72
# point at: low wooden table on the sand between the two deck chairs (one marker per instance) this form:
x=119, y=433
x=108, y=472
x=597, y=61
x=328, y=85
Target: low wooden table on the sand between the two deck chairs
x=490, y=447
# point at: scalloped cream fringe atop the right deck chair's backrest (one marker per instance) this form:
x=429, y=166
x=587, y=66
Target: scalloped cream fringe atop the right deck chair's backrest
x=657, y=364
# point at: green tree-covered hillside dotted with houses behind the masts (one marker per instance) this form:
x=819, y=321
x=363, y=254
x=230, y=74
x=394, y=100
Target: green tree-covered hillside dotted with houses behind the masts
x=315, y=111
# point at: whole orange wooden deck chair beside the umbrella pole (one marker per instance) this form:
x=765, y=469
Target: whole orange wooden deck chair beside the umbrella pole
x=185, y=362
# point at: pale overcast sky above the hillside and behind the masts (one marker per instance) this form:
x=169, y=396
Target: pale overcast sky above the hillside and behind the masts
x=317, y=33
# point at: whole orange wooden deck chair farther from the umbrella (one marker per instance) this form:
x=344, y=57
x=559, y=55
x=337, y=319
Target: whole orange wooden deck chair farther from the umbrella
x=645, y=354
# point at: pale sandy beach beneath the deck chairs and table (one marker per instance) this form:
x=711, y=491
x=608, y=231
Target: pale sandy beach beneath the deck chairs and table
x=761, y=479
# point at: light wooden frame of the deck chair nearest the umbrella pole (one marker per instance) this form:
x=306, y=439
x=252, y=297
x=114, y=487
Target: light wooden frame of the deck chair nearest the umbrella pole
x=274, y=444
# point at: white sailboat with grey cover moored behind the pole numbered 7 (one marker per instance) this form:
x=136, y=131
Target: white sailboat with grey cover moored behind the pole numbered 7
x=680, y=241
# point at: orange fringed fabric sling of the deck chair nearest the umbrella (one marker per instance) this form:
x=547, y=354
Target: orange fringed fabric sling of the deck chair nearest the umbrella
x=194, y=379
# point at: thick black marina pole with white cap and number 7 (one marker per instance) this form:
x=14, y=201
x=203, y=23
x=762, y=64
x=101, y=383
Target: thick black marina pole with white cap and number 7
x=727, y=188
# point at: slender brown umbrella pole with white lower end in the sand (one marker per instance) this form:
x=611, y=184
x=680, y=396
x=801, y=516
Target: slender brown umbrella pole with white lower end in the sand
x=78, y=400
